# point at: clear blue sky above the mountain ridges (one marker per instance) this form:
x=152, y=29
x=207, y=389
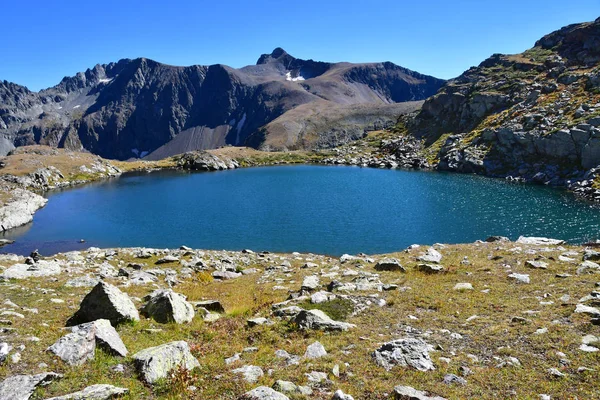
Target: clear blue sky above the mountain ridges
x=44, y=41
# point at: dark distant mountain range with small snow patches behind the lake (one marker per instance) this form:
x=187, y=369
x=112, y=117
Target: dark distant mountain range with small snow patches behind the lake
x=141, y=108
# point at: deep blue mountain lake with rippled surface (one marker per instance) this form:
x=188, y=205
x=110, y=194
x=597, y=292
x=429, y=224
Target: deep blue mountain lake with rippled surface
x=320, y=209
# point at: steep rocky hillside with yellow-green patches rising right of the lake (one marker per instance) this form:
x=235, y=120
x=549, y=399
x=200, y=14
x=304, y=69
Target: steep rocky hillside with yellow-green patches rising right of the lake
x=532, y=116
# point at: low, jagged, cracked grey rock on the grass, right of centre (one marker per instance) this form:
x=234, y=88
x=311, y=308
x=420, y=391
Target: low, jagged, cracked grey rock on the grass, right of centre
x=409, y=352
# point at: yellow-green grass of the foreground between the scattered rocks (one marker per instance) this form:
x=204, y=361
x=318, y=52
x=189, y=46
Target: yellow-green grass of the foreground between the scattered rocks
x=431, y=299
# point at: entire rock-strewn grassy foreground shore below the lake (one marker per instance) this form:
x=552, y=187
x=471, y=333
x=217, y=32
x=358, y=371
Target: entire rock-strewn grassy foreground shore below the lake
x=153, y=323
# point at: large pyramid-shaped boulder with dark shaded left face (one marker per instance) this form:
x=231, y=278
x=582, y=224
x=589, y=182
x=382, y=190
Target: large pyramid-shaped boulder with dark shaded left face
x=105, y=301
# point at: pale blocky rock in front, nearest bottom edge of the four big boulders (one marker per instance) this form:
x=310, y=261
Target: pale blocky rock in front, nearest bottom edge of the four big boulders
x=155, y=363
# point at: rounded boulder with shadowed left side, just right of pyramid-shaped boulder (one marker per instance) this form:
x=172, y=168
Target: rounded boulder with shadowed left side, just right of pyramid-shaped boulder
x=166, y=306
